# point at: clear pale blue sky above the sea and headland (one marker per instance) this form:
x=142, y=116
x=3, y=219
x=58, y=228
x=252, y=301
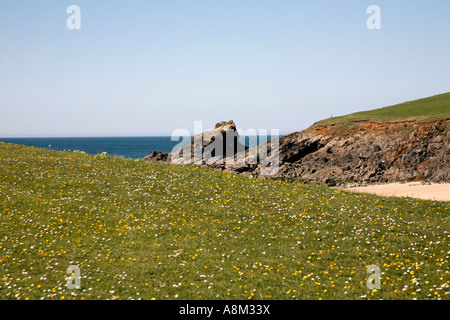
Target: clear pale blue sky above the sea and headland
x=149, y=67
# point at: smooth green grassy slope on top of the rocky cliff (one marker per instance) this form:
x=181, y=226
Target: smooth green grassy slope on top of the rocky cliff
x=422, y=110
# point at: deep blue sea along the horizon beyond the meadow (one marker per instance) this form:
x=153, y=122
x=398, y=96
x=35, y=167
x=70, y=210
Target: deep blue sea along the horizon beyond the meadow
x=128, y=147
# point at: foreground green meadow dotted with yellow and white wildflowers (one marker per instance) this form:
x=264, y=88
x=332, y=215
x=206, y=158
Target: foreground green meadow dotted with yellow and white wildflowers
x=141, y=230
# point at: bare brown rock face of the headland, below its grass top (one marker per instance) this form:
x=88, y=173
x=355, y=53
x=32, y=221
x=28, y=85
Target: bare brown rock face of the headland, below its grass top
x=359, y=152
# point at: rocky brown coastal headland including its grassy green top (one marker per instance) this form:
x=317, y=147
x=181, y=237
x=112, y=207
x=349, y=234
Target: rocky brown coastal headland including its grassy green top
x=399, y=143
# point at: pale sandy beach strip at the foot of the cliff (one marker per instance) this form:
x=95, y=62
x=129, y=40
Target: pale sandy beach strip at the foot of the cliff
x=435, y=191
